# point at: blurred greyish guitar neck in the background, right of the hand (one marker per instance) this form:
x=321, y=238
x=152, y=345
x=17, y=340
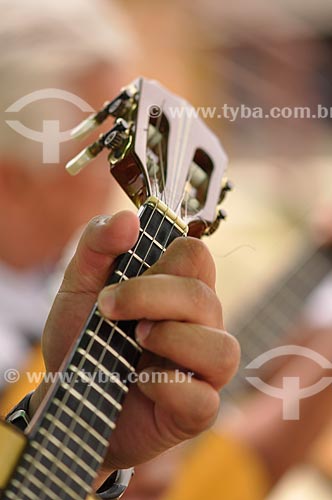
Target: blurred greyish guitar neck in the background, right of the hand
x=262, y=327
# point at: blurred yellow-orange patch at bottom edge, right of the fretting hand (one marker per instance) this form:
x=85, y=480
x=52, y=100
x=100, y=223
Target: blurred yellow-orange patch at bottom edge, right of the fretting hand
x=220, y=469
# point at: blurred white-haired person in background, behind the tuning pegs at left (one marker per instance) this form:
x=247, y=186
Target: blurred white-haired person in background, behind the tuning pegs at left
x=72, y=46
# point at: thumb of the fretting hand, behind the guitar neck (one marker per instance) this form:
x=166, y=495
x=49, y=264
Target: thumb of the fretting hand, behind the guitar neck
x=102, y=241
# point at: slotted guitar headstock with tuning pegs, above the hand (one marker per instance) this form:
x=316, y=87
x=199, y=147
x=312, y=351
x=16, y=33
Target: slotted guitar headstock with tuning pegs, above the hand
x=159, y=146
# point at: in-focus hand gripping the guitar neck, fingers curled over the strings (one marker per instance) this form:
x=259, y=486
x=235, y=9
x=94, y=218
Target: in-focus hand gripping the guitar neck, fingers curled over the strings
x=181, y=327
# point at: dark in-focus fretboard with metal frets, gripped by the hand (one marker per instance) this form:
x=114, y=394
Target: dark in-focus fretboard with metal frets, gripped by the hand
x=68, y=444
